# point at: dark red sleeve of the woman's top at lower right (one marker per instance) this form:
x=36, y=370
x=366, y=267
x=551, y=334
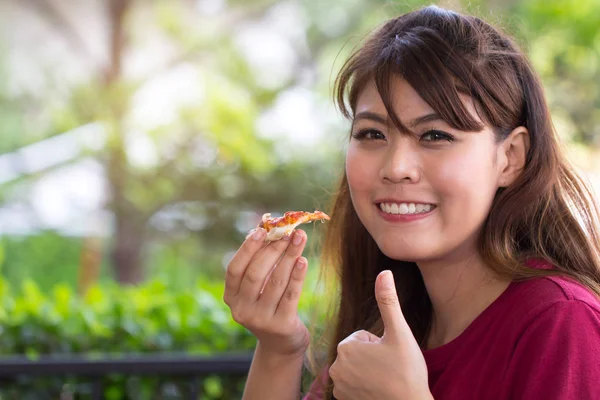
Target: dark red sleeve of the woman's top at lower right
x=558, y=355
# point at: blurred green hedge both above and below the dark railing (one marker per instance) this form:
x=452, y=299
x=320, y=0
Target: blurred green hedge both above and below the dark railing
x=114, y=319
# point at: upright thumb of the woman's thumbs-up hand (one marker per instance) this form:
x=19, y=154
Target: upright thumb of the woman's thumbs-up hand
x=394, y=324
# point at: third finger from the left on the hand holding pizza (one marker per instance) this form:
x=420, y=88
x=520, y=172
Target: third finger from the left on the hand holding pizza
x=279, y=279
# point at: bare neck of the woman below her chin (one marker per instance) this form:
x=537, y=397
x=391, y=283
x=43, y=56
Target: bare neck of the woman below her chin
x=460, y=290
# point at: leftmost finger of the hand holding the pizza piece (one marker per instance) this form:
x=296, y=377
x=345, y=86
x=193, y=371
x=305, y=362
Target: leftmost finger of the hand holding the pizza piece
x=240, y=260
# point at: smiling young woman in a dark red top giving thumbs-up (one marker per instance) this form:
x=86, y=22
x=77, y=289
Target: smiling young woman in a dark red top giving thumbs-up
x=467, y=249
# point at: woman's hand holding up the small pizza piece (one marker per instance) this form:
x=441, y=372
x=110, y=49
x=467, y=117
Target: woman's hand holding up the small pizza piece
x=271, y=315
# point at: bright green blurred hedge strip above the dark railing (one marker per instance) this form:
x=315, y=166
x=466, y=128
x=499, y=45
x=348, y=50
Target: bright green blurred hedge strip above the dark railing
x=110, y=318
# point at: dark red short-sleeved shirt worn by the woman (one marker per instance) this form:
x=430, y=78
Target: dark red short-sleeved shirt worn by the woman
x=539, y=340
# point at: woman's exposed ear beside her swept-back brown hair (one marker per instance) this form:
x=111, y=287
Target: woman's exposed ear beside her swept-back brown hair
x=513, y=153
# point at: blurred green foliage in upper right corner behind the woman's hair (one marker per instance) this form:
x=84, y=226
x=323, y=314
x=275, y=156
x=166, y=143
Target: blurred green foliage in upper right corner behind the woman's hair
x=564, y=43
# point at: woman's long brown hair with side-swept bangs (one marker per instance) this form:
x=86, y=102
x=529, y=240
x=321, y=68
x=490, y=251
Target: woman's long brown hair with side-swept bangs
x=547, y=213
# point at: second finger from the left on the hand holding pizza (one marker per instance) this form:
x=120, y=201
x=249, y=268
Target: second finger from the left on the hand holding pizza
x=260, y=265
